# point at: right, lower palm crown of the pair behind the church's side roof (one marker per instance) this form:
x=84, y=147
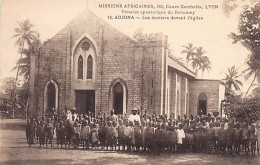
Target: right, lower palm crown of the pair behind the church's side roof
x=198, y=59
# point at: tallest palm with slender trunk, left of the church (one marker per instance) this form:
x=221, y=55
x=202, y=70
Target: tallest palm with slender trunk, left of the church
x=24, y=35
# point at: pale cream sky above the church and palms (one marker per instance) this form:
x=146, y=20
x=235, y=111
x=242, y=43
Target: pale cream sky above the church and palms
x=50, y=16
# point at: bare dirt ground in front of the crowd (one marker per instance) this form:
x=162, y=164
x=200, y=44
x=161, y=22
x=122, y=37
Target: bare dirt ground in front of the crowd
x=14, y=150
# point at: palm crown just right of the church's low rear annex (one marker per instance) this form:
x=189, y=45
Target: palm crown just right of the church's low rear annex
x=231, y=79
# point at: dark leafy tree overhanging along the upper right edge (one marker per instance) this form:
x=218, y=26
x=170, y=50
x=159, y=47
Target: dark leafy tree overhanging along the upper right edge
x=249, y=35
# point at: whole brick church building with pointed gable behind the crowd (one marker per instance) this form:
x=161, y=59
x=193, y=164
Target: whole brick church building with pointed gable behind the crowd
x=93, y=67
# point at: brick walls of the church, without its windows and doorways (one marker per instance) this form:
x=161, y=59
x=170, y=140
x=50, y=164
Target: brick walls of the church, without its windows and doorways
x=138, y=65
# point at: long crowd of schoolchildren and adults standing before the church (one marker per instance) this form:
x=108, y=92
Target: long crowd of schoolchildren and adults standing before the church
x=143, y=132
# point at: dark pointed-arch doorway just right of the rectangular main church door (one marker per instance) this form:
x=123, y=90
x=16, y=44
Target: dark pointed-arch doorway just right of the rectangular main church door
x=118, y=98
